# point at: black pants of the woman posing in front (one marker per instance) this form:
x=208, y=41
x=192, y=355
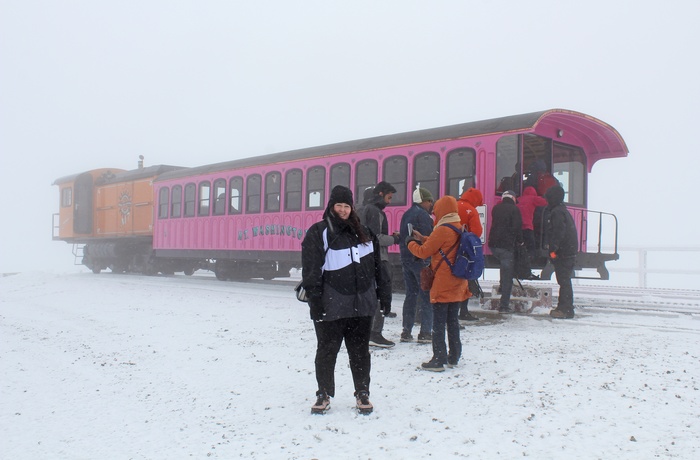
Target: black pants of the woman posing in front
x=330, y=336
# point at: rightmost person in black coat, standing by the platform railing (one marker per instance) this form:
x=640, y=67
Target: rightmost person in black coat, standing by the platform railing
x=561, y=242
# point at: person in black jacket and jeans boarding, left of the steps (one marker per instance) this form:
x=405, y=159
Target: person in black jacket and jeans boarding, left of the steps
x=506, y=232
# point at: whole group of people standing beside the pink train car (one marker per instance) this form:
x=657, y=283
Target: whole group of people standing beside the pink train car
x=347, y=275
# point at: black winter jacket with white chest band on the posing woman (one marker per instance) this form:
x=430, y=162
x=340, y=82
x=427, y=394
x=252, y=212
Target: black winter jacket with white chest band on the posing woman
x=347, y=278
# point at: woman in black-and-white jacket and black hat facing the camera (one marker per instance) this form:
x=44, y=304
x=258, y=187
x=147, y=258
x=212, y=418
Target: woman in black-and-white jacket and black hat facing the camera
x=343, y=280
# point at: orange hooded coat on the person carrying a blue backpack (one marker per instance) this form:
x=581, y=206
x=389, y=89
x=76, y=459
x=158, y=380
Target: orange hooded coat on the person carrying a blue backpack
x=446, y=287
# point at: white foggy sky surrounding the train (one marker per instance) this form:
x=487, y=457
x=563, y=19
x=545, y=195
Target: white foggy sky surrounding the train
x=88, y=84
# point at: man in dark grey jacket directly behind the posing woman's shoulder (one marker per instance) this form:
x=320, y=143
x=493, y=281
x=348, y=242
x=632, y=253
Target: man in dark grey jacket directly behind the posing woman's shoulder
x=374, y=218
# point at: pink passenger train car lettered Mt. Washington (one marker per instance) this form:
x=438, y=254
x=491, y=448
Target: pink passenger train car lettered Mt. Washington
x=246, y=218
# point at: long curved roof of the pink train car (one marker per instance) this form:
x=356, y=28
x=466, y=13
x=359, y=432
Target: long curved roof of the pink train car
x=598, y=138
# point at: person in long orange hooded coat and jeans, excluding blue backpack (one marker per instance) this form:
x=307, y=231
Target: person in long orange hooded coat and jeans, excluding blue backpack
x=447, y=290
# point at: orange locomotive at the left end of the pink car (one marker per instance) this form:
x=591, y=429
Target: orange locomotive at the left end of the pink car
x=108, y=215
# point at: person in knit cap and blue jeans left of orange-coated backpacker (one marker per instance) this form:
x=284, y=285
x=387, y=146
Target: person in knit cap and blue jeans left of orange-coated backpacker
x=418, y=215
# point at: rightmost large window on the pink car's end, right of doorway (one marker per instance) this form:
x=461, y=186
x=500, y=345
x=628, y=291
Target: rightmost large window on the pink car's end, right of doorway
x=570, y=171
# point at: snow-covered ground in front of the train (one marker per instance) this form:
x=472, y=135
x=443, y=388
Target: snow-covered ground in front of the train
x=131, y=367
